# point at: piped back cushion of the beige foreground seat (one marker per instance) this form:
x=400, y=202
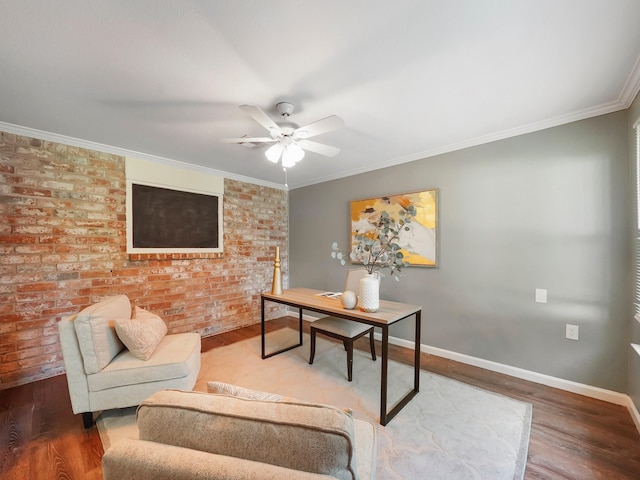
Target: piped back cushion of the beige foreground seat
x=300, y=436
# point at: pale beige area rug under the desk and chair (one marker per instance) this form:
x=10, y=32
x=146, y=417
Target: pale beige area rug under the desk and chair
x=449, y=431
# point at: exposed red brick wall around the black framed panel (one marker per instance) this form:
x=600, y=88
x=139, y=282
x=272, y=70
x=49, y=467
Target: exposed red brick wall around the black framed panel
x=63, y=247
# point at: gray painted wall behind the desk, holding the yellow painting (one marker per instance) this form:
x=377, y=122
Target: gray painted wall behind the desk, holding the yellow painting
x=543, y=210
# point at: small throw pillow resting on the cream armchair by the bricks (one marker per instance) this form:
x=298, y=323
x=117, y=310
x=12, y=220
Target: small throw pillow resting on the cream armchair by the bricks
x=142, y=333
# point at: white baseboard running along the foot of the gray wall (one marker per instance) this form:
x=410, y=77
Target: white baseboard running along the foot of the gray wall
x=610, y=396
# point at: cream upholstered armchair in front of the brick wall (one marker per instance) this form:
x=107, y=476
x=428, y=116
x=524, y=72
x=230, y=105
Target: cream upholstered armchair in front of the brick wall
x=103, y=374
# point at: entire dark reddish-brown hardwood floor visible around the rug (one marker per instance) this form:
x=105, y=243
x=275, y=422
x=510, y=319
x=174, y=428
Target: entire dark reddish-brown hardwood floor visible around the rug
x=572, y=437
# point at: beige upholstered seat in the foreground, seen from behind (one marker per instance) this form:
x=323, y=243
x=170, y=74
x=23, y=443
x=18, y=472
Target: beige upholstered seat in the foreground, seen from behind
x=193, y=435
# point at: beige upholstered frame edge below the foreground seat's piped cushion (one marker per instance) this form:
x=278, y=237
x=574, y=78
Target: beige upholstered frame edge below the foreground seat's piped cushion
x=143, y=460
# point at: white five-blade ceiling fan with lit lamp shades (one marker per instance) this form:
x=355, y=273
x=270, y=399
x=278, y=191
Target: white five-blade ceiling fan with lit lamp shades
x=289, y=140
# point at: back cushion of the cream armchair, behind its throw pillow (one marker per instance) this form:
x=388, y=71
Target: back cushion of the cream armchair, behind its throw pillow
x=96, y=332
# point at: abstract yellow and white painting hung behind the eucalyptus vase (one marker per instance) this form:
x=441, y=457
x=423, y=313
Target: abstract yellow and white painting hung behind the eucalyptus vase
x=419, y=245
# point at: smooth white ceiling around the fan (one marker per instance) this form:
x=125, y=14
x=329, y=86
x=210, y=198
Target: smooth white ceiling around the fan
x=410, y=78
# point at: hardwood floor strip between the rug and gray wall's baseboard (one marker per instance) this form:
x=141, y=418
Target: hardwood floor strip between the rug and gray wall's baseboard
x=572, y=436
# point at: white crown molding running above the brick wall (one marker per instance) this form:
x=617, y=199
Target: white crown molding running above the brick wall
x=100, y=147
